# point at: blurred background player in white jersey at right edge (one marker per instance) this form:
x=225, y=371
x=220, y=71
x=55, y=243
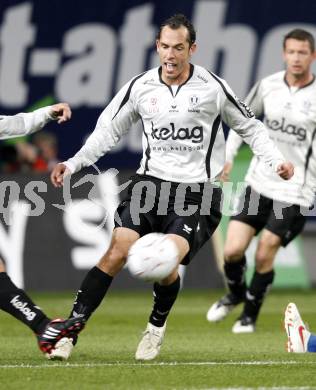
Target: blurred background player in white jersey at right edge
x=287, y=101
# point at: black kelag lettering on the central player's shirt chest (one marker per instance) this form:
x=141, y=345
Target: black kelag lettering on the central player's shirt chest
x=184, y=133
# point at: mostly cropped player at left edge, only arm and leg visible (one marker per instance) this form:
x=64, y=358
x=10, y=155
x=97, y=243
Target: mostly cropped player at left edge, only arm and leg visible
x=13, y=300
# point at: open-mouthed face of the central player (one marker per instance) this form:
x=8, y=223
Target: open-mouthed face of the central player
x=174, y=52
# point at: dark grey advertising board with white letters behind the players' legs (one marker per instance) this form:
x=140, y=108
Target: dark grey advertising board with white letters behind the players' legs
x=50, y=238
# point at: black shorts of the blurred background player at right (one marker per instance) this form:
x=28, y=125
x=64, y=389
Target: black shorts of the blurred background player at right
x=258, y=211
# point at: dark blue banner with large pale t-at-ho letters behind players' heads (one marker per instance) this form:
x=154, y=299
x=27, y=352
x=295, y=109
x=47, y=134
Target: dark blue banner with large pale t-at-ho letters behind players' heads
x=87, y=52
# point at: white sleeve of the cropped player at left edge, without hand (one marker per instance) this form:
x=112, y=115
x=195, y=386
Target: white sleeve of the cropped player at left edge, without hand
x=23, y=123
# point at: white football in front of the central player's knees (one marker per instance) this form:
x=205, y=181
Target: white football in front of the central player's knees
x=152, y=257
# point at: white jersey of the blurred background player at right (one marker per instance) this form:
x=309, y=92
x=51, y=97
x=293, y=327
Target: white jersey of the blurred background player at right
x=290, y=115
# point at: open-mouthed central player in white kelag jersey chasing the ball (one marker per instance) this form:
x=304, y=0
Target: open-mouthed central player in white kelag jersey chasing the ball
x=181, y=106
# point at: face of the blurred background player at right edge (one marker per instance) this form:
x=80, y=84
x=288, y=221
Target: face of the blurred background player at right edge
x=298, y=57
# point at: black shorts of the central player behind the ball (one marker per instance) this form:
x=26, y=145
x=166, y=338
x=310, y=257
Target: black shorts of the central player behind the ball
x=152, y=205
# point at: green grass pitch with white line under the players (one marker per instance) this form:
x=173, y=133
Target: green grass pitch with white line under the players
x=195, y=354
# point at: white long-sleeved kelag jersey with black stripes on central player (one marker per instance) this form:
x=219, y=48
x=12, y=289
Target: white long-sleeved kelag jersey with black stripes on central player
x=182, y=139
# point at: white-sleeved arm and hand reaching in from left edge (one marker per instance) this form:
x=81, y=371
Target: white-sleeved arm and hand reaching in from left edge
x=27, y=123
